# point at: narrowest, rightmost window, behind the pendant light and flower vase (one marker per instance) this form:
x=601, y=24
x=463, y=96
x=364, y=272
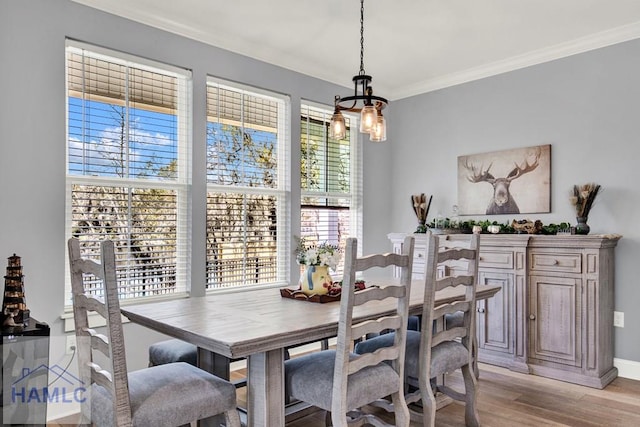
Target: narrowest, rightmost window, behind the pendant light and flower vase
x=330, y=180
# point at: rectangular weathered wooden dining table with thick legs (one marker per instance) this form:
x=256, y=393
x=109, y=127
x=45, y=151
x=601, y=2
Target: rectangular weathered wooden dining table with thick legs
x=259, y=325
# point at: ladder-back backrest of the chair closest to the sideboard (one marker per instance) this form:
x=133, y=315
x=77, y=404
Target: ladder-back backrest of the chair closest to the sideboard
x=450, y=263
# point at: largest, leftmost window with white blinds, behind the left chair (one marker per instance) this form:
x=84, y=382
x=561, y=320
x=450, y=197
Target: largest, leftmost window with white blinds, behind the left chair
x=128, y=142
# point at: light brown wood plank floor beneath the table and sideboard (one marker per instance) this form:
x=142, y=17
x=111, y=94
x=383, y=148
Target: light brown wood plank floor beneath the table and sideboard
x=508, y=399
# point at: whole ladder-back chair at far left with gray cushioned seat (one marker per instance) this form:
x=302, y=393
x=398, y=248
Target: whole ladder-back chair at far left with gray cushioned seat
x=166, y=395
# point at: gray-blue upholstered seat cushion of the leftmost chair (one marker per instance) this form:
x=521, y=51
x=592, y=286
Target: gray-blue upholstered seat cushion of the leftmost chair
x=167, y=395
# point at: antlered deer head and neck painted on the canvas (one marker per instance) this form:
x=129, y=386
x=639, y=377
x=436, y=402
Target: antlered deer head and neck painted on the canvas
x=502, y=202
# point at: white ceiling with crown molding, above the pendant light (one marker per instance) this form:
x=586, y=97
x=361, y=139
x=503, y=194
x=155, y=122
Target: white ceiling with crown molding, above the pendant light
x=411, y=46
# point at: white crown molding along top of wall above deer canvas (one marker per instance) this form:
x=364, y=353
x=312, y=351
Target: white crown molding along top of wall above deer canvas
x=539, y=56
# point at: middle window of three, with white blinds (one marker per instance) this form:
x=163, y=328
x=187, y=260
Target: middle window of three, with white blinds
x=247, y=187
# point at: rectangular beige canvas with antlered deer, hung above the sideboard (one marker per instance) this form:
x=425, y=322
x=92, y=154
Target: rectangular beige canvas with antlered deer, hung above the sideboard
x=516, y=181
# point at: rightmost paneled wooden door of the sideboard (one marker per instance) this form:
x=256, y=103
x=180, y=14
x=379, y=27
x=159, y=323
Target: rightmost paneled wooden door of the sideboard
x=554, y=319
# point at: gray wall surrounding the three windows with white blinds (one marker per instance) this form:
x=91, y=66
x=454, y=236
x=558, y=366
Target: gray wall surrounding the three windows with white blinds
x=32, y=137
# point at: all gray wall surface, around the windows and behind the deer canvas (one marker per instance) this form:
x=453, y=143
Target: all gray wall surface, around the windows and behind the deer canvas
x=584, y=106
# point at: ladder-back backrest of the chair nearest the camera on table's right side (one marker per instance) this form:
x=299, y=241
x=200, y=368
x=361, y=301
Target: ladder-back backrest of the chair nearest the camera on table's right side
x=346, y=363
